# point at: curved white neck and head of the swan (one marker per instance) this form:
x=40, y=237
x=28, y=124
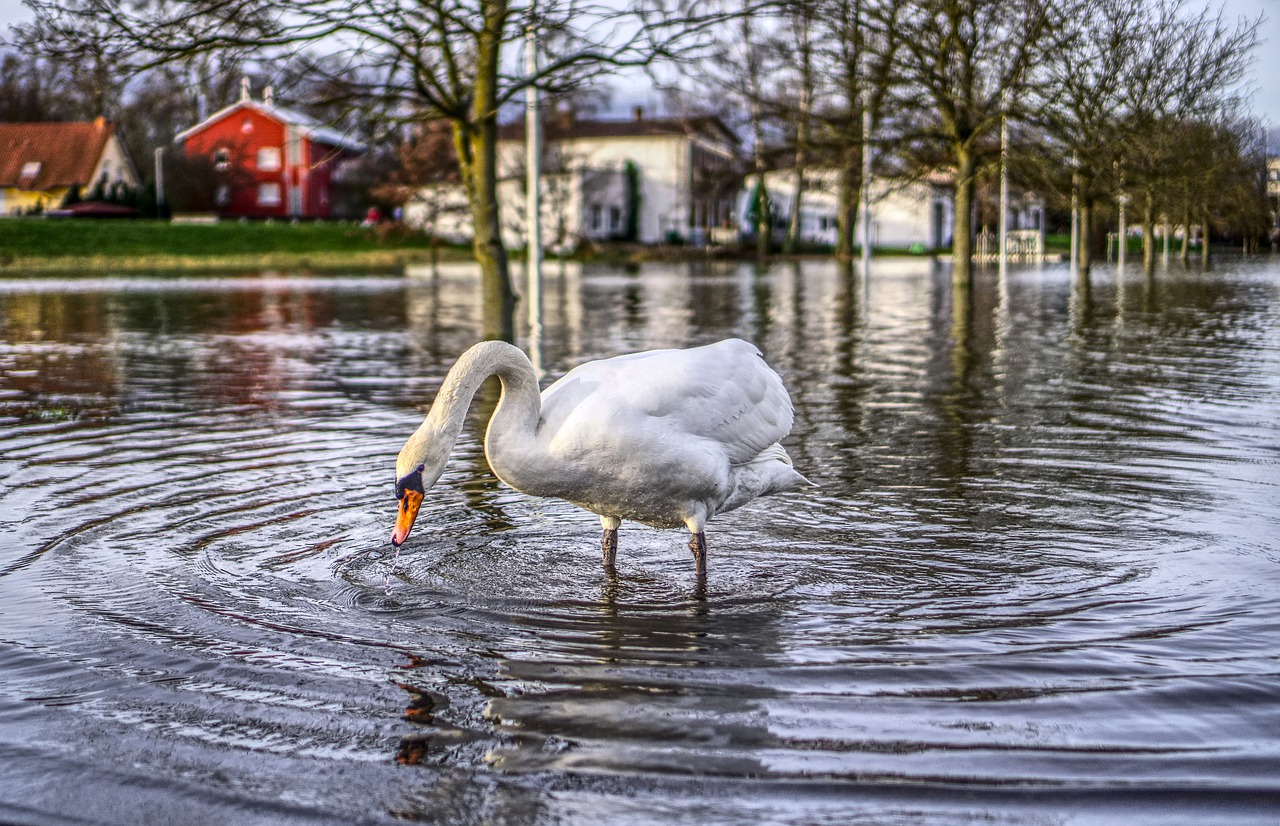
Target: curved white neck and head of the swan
x=514, y=422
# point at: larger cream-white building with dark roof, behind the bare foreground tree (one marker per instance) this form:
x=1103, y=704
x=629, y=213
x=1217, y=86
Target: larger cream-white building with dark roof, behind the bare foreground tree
x=679, y=175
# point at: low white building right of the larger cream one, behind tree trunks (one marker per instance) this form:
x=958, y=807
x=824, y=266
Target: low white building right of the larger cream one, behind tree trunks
x=917, y=213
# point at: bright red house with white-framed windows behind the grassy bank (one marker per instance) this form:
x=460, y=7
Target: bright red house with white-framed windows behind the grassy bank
x=278, y=163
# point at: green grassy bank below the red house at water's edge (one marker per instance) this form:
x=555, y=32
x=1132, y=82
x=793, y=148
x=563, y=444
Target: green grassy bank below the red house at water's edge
x=76, y=245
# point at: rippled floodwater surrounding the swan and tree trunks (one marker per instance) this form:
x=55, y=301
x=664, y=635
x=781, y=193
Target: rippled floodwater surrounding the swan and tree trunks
x=1037, y=582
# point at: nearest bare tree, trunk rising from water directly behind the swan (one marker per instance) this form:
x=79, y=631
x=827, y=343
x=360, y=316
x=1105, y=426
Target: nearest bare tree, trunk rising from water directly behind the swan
x=450, y=60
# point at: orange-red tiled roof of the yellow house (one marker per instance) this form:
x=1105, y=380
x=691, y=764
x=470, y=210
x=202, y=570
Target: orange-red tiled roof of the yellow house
x=44, y=156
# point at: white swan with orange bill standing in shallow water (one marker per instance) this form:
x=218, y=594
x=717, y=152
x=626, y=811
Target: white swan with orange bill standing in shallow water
x=666, y=437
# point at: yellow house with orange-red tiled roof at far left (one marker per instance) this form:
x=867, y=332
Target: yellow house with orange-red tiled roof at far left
x=42, y=162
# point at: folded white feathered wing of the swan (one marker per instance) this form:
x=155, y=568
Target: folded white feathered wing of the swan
x=724, y=394
